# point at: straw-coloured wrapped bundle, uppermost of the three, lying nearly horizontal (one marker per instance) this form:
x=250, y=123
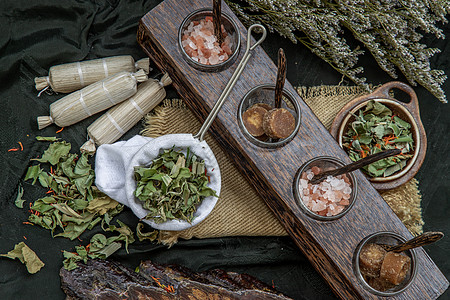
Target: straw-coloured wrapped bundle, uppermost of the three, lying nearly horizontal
x=70, y=77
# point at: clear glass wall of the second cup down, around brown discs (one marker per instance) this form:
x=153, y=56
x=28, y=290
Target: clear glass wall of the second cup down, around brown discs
x=266, y=94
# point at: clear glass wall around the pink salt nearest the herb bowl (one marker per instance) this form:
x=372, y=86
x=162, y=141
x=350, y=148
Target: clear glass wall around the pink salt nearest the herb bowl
x=324, y=162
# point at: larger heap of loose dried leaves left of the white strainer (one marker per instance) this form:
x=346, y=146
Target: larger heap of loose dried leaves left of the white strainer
x=73, y=204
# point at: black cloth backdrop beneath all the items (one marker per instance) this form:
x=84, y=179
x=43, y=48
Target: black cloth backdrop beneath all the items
x=36, y=35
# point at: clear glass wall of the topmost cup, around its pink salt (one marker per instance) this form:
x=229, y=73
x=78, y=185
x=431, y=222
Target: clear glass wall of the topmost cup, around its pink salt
x=230, y=26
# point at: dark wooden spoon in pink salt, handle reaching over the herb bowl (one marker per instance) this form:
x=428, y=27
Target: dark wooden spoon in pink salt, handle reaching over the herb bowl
x=355, y=165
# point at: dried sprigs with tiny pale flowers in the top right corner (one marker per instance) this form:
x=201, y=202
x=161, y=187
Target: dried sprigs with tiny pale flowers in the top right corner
x=390, y=30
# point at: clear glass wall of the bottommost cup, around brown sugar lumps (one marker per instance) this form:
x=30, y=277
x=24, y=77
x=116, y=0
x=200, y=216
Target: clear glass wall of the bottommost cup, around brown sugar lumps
x=388, y=238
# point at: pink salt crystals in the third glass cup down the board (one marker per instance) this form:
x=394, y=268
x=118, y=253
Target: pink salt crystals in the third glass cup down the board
x=328, y=198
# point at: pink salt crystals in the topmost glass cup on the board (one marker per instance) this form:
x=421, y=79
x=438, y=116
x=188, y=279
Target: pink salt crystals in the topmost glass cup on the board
x=200, y=43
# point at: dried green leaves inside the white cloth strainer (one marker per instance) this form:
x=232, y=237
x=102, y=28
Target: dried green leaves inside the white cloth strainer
x=172, y=187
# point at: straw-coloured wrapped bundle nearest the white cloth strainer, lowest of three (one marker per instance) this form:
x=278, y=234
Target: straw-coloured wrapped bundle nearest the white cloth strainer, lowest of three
x=120, y=118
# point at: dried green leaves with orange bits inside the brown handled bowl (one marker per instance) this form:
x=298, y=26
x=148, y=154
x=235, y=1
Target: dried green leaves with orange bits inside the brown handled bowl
x=375, y=129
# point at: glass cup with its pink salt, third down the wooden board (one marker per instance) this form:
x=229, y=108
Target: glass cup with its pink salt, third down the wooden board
x=330, y=199
